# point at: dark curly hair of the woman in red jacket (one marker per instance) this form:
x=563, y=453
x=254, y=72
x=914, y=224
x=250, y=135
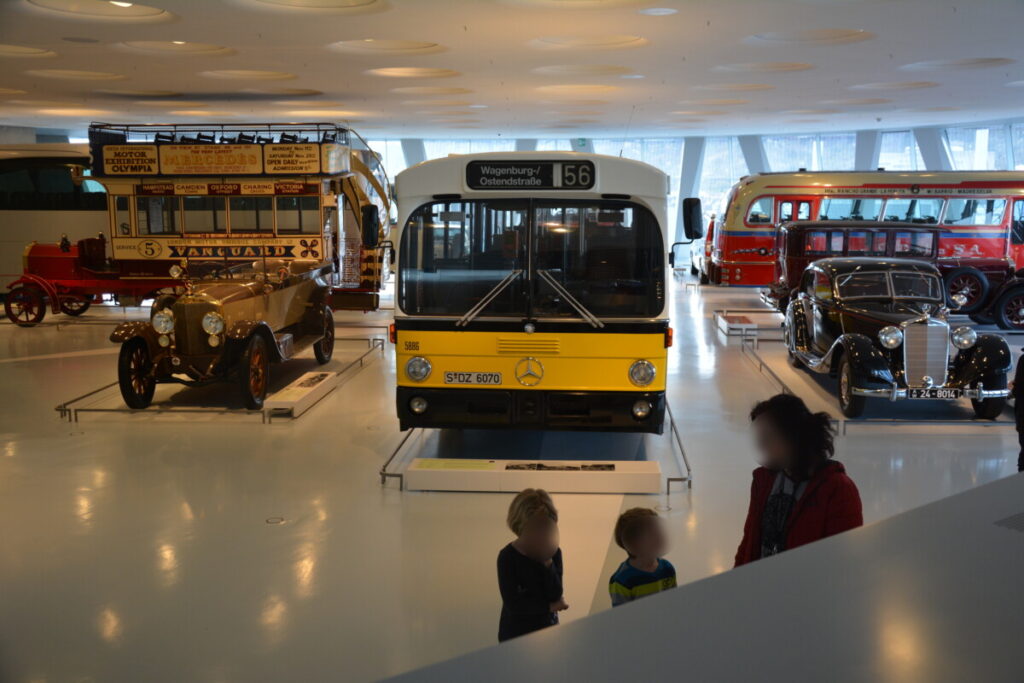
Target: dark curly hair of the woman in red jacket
x=810, y=435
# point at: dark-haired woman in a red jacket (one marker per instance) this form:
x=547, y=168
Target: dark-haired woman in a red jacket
x=799, y=495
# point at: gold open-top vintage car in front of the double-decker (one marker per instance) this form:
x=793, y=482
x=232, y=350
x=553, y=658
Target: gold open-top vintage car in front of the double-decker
x=230, y=325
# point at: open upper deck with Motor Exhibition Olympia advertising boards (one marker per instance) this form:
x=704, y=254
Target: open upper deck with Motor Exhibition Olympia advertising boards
x=175, y=151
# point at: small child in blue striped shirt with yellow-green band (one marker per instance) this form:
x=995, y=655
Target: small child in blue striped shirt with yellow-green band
x=641, y=533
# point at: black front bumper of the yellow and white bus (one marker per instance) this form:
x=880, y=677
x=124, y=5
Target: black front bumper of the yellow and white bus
x=528, y=409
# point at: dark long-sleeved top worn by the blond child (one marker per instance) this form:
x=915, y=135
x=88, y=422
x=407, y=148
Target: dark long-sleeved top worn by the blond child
x=528, y=589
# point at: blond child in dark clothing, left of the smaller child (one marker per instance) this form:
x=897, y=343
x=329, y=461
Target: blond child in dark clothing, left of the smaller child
x=530, y=569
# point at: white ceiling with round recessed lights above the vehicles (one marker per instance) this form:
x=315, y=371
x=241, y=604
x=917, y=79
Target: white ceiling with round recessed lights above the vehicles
x=408, y=68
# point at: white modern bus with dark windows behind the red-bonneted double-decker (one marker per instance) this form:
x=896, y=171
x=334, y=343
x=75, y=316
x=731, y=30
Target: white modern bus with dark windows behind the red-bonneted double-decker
x=40, y=200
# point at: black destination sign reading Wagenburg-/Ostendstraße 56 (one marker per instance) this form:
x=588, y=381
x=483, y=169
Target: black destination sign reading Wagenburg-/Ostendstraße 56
x=530, y=176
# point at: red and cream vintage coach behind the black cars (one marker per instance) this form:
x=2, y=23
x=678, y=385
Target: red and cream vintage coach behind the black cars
x=980, y=215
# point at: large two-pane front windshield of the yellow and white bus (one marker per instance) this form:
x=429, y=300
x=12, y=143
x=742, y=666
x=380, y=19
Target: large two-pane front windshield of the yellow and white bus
x=543, y=259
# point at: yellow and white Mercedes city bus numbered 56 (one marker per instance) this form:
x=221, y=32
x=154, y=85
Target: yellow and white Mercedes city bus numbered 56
x=532, y=293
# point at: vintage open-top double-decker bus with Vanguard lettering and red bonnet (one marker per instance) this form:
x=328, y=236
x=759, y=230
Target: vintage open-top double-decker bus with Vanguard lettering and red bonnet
x=219, y=195
